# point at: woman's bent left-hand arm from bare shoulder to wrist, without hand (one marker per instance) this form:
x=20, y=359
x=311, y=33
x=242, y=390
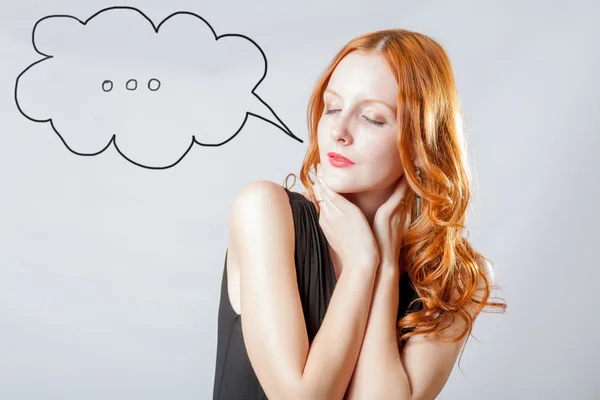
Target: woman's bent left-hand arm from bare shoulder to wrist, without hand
x=262, y=233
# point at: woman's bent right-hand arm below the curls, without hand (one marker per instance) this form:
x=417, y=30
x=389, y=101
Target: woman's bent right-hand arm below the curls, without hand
x=424, y=366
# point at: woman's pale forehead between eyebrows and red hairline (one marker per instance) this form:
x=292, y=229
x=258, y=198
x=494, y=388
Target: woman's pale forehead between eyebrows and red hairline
x=364, y=75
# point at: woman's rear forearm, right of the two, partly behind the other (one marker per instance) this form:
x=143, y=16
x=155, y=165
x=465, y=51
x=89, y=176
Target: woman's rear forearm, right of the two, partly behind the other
x=379, y=373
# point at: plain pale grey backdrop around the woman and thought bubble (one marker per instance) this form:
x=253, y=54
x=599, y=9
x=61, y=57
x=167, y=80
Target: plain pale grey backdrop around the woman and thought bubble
x=110, y=273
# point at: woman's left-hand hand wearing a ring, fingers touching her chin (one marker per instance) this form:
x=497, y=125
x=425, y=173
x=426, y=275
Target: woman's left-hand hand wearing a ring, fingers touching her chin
x=346, y=228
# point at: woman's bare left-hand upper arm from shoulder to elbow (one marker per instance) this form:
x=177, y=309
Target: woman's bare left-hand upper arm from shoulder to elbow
x=262, y=233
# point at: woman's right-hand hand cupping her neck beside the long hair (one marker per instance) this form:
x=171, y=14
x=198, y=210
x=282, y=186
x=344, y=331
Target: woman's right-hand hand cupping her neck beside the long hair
x=390, y=222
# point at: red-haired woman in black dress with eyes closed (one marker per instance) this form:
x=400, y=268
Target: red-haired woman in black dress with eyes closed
x=381, y=225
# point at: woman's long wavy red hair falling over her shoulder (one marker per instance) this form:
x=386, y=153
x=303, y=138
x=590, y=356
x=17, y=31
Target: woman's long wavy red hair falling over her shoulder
x=446, y=272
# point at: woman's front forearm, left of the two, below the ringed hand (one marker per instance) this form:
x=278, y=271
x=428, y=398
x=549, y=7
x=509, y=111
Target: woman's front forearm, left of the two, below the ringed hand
x=334, y=350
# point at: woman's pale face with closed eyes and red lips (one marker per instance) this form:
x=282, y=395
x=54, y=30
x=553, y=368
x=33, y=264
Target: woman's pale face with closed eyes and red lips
x=359, y=123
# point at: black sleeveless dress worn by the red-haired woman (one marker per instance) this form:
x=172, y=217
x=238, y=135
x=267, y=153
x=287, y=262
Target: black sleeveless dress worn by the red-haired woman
x=234, y=377
